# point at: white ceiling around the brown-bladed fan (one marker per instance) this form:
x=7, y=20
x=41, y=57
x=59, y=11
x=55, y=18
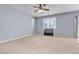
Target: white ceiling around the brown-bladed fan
x=54, y=8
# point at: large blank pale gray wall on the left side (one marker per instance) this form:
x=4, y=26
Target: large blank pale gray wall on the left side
x=13, y=23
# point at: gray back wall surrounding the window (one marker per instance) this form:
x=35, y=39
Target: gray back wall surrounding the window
x=64, y=24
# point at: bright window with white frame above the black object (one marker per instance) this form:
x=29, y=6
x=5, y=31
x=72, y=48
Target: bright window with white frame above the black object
x=49, y=23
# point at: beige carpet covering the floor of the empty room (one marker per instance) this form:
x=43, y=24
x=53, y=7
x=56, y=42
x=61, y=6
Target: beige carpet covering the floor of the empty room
x=40, y=44
